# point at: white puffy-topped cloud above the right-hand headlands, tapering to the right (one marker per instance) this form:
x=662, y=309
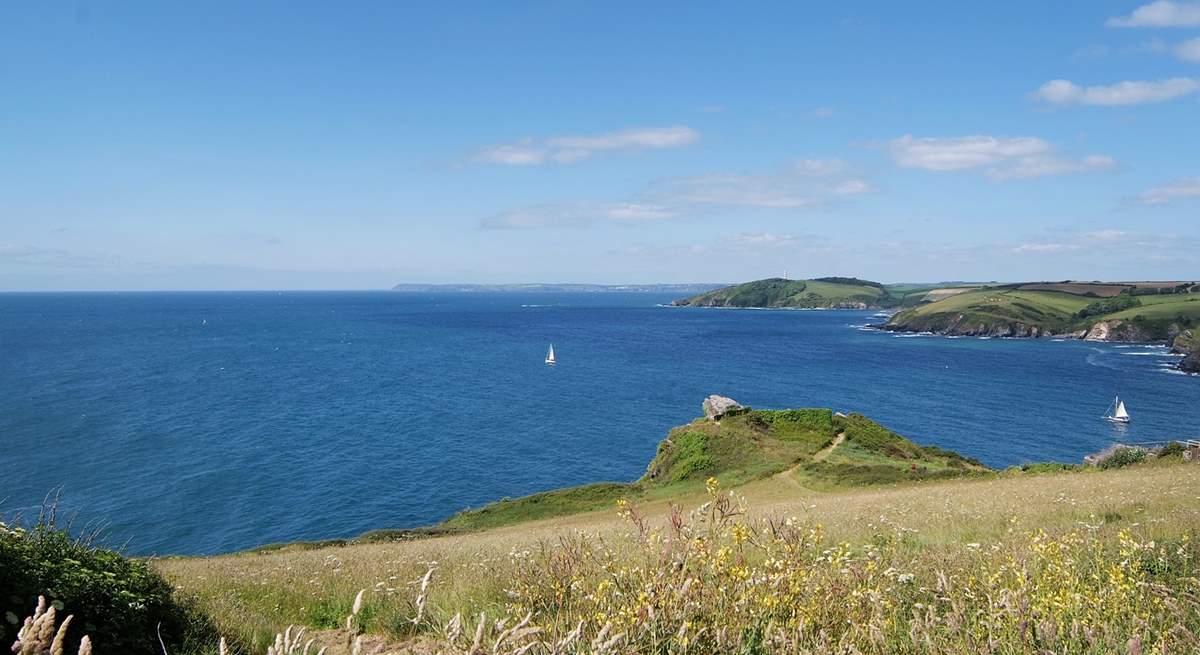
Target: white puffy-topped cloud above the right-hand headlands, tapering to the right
x=999, y=158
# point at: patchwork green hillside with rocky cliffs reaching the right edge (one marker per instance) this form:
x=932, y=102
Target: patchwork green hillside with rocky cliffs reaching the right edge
x=1117, y=311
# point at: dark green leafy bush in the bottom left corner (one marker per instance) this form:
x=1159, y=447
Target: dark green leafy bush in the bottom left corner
x=121, y=603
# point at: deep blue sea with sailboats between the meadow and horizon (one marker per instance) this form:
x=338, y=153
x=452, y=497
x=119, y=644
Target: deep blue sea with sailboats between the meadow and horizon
x=205, y=423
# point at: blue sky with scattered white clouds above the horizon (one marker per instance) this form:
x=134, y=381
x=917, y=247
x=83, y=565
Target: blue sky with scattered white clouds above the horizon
x=358, y=146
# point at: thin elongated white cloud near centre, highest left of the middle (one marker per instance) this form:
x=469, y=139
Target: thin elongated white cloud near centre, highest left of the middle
x=569, y=149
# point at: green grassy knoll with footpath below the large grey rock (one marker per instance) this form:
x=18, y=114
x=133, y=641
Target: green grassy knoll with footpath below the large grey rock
x=814, y=448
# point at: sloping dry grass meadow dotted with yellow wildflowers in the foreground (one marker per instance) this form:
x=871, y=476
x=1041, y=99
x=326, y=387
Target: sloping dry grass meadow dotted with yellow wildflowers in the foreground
x=447, y=591
